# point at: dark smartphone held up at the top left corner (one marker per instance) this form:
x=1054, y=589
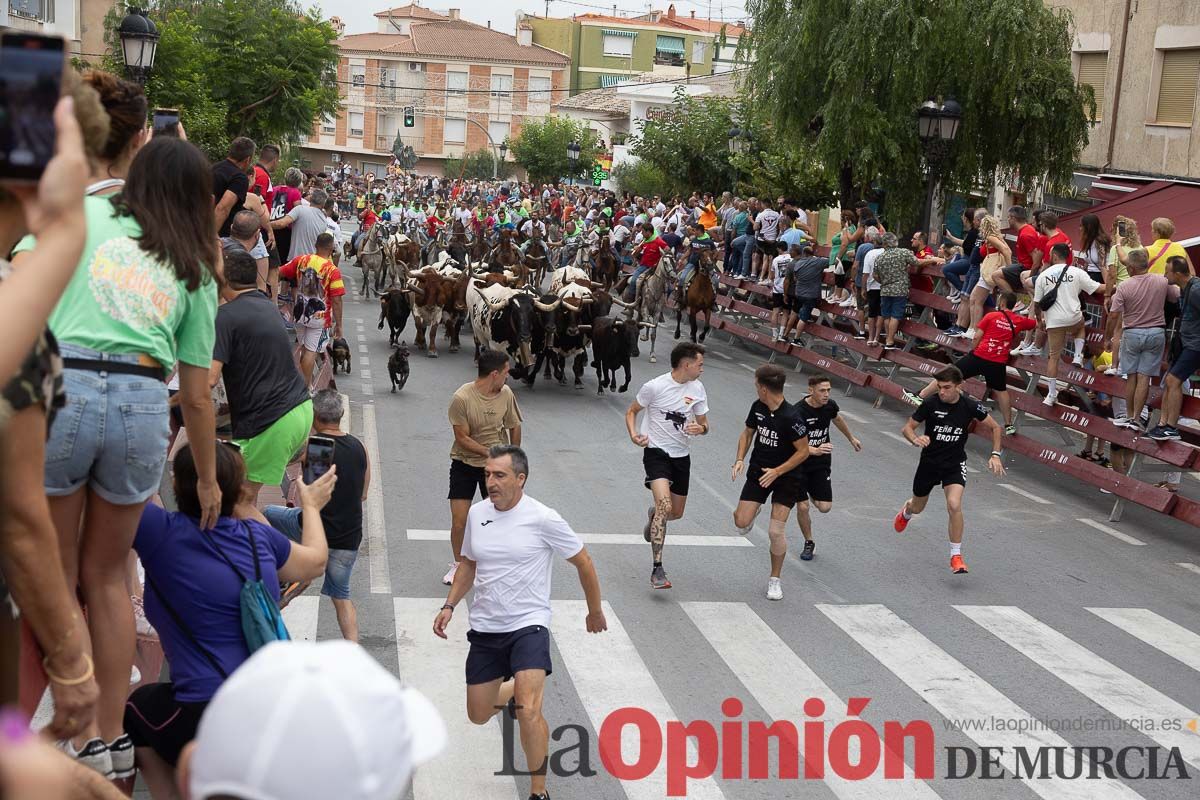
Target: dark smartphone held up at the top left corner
x=32, y=67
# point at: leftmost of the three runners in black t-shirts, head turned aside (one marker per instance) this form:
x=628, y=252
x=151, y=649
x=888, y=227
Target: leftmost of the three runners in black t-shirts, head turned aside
x=781, y=447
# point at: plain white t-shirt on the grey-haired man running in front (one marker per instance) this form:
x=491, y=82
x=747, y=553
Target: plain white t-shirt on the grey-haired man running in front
x=514, y=555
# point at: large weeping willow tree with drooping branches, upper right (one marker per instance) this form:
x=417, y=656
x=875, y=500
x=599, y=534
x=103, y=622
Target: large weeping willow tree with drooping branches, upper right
x=853, y=98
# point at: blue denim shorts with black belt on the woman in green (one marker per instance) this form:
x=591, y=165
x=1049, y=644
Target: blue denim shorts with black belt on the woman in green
x=112, y=435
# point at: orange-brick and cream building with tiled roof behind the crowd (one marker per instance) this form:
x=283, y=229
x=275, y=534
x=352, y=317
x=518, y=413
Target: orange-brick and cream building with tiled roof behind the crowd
x=471, y=88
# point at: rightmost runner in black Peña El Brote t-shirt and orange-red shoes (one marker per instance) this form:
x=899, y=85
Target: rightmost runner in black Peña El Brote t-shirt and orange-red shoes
x=947, y=418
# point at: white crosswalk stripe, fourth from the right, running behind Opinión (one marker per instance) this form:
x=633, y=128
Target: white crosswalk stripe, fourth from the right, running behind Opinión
x=730, y=628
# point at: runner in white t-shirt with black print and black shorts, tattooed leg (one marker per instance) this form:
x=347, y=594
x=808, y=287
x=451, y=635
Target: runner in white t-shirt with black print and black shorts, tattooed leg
x=676, y=410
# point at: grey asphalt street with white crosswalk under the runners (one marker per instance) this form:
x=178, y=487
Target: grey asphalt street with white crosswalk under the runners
x=1066, y=618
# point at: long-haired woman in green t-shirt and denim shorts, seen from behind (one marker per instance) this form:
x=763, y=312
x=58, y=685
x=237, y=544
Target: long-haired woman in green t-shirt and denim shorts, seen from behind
x=142, y=300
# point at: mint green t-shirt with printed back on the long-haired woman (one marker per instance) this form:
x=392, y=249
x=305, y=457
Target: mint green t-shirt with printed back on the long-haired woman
x=124, y=300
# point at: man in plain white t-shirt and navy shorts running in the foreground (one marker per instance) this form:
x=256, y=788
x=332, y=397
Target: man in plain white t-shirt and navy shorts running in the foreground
x=508, y=555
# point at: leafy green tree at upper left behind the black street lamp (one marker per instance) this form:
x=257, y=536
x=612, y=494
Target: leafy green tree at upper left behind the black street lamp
x=262, y=69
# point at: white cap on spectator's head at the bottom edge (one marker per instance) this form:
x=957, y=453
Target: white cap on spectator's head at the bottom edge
x=314, y=720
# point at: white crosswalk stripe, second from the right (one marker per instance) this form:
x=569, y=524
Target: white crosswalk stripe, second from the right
x=1112, y=689
